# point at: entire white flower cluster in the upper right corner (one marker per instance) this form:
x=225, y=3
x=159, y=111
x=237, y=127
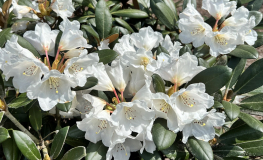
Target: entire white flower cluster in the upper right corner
x=222, y=39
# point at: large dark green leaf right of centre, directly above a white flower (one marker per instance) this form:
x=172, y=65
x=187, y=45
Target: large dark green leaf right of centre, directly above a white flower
x=214, y=78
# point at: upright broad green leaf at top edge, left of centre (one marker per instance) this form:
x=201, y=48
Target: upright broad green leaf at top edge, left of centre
x=103, y=19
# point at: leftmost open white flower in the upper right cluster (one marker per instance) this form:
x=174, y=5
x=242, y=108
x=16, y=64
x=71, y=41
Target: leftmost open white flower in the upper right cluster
x=193, y=30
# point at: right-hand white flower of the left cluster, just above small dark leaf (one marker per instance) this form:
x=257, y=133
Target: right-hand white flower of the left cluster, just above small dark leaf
x=80, y=67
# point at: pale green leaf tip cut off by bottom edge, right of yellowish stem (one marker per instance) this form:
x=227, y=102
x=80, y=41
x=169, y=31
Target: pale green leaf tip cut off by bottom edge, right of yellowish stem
x=76, y=153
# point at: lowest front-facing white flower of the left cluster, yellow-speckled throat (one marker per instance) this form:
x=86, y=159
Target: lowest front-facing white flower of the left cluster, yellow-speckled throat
x=52, y=89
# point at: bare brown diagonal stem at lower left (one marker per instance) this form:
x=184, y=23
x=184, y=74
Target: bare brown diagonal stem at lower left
x=20, y=126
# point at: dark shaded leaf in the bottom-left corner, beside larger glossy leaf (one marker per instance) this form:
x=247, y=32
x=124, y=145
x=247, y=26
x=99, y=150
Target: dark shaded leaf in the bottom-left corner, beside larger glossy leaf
x=10, y=149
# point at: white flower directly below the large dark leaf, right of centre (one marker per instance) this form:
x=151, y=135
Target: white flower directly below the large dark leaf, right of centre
x=191, y=103
